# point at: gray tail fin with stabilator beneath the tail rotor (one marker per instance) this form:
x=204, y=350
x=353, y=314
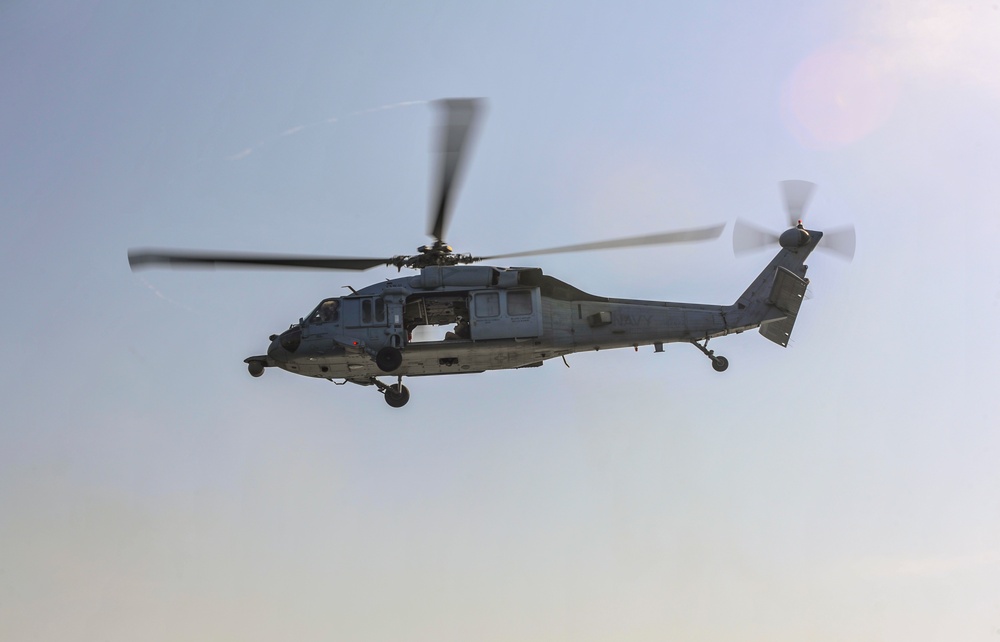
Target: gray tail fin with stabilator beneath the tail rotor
x=773, y=299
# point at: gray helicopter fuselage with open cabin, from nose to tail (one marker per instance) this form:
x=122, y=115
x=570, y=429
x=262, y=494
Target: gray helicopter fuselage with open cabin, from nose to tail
x=504, y=318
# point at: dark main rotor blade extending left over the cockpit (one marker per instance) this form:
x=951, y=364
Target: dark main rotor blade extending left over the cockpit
x=143, y=258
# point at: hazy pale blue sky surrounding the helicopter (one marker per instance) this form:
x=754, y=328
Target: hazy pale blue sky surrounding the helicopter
x=844, y=488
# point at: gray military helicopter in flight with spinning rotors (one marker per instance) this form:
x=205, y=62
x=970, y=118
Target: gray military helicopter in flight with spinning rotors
x=509, y=317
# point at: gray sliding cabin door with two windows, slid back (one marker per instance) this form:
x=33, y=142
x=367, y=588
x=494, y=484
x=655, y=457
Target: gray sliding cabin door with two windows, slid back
x=506, y=314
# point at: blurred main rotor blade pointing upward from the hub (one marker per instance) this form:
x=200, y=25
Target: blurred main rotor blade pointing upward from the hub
x=455, y=131
